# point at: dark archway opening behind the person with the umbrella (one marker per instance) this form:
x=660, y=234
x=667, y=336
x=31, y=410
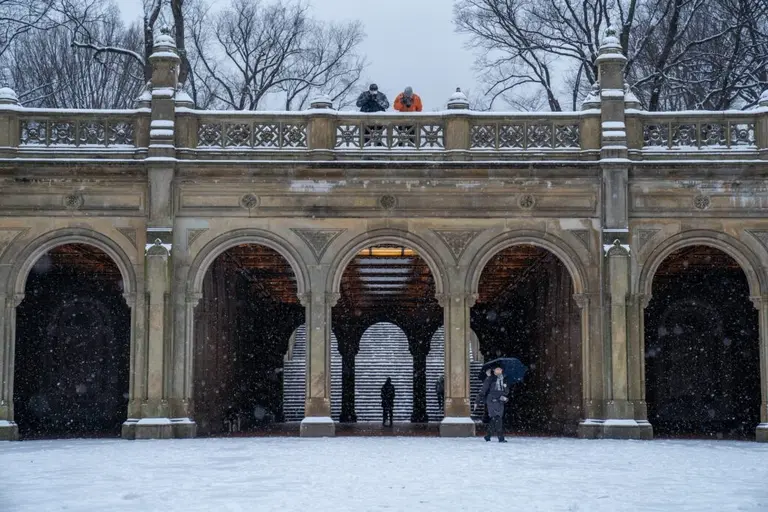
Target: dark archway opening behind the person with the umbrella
x=525, y=309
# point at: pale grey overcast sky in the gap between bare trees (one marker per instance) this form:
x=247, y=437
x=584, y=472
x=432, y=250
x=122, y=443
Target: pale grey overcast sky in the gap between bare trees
x=410, y=42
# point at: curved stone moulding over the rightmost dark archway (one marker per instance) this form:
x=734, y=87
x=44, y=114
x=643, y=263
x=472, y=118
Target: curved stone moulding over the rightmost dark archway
x=721, y=241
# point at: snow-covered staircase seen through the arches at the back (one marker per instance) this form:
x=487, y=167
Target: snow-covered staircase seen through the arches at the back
x=383, y=353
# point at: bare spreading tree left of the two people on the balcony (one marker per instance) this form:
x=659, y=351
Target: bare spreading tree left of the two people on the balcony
x=250, y=50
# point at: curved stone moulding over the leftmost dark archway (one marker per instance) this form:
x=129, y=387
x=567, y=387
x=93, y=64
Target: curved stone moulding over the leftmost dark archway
x=41, y=245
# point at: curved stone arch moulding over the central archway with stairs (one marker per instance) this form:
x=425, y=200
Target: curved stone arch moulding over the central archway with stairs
x=387, y=236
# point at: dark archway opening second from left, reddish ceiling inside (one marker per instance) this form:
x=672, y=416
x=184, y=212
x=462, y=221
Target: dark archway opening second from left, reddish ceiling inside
x=243, y=325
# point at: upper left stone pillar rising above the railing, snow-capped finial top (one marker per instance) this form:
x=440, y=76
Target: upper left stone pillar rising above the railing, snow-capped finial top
x=161, y=152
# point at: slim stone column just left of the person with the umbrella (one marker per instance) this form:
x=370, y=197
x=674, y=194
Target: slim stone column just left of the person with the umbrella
x=457, y=421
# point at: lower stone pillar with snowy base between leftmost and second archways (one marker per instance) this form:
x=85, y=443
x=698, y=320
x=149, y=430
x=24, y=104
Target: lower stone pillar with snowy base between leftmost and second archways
x=154, y=421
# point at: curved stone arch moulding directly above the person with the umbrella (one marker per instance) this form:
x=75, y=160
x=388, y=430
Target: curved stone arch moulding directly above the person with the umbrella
x=546, y=241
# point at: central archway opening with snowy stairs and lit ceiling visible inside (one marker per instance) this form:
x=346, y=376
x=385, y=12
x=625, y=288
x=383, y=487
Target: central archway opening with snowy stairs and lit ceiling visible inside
x=387, y=294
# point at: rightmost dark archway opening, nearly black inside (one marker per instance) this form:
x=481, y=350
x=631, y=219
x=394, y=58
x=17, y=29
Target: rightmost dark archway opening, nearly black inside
x=702, y=347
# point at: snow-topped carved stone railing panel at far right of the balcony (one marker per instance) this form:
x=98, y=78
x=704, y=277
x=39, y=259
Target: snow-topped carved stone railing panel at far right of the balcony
x=695, y=131
